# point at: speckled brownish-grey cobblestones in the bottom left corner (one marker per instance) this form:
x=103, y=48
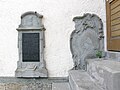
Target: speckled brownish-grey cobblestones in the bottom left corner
x=29, y=86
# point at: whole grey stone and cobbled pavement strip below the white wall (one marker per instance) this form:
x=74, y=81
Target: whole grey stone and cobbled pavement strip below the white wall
x=11, y=83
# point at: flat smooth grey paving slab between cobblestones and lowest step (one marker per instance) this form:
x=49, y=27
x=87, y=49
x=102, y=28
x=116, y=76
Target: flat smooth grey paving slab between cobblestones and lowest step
x=61, y=86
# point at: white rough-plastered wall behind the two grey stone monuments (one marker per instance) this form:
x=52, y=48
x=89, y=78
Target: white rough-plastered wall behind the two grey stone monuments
x=58, y=15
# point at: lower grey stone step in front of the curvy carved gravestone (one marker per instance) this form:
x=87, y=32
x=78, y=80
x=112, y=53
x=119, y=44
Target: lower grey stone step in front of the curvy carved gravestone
x=80, y=80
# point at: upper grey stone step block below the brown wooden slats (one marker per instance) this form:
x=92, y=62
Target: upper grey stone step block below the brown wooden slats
x=105, y=73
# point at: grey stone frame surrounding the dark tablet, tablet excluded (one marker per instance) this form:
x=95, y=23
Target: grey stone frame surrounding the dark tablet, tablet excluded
x=31, y=69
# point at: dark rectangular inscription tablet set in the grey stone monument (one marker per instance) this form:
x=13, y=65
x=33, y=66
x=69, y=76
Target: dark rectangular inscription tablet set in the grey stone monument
x=30, y=47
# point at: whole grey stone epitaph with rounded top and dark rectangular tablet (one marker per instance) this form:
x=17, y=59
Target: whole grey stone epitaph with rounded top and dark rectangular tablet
x=31, y=46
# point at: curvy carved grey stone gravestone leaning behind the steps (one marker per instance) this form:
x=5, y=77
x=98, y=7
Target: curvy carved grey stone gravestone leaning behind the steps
x=86, y=39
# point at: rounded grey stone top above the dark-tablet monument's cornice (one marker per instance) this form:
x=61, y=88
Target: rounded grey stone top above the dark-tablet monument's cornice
x=31, y=20
